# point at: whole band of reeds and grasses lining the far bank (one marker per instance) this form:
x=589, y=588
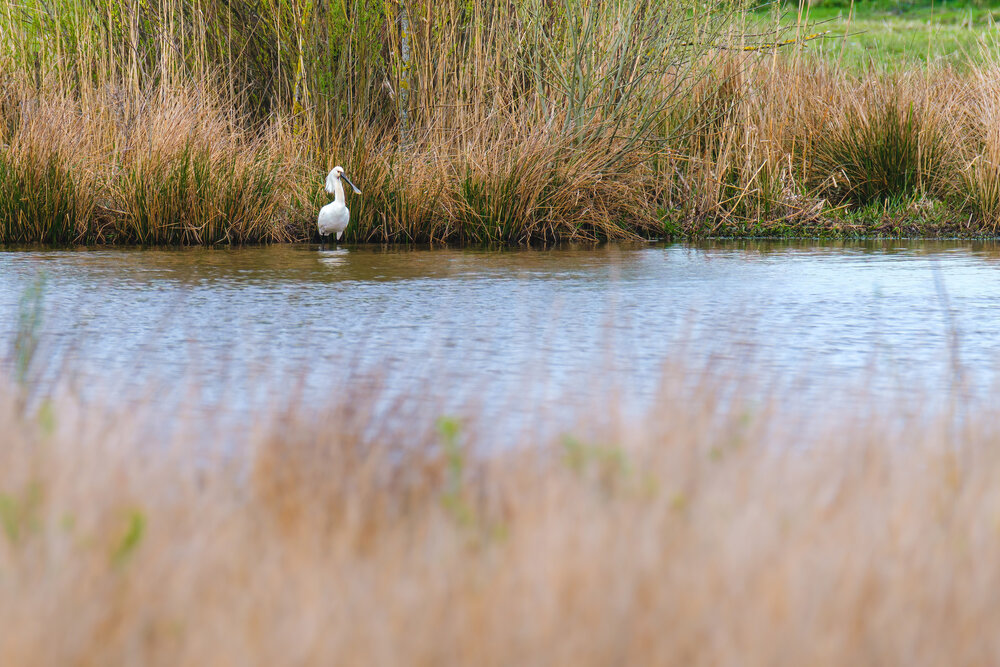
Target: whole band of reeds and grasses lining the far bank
x=185, y=122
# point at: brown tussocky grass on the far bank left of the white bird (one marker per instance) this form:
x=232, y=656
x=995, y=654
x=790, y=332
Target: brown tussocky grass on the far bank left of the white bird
x=171, y=167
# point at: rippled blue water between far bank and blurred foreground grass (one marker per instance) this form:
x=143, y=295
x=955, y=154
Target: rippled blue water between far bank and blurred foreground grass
x=499, y=329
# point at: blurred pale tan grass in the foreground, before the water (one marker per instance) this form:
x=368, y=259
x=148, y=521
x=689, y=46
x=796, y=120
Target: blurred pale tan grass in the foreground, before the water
x=705, y=532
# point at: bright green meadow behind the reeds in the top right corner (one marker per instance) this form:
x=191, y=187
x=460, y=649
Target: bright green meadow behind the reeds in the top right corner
x=893, y=34
